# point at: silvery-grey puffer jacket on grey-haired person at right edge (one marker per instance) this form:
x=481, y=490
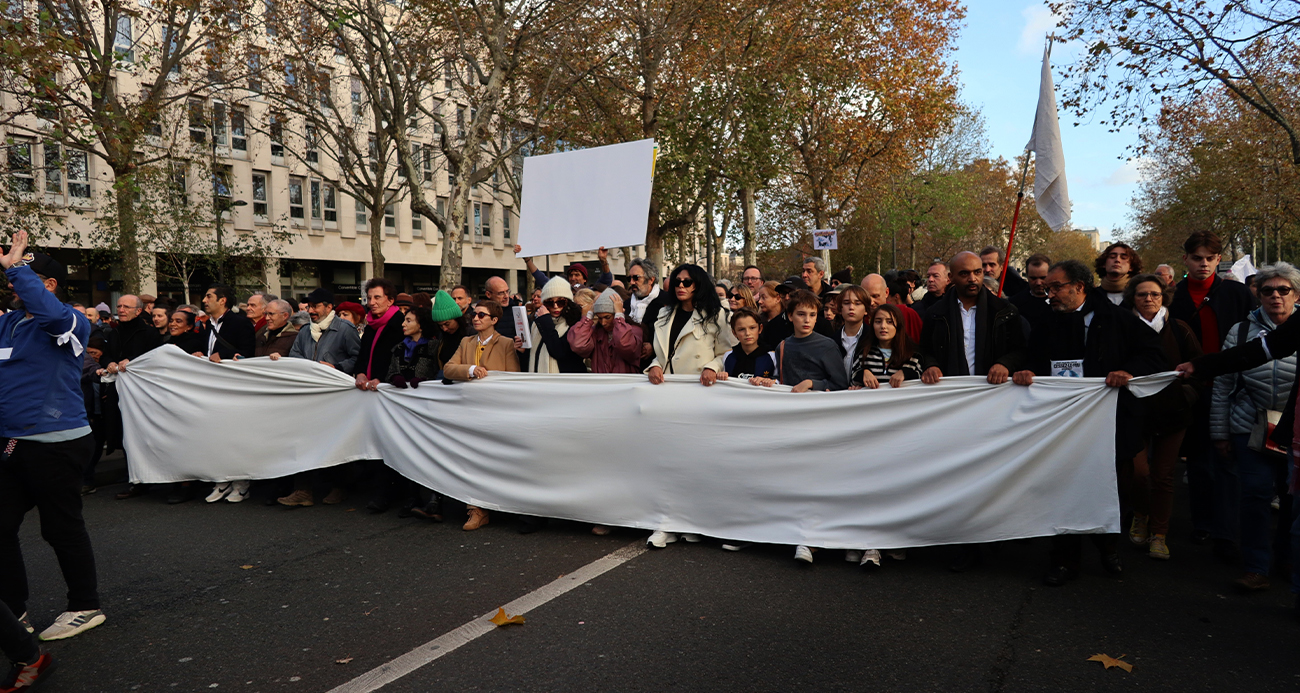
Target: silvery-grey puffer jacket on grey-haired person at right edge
x=1240, y=397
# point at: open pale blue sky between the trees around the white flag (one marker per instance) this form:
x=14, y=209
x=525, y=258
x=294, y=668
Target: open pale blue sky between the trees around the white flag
x=1000, y=57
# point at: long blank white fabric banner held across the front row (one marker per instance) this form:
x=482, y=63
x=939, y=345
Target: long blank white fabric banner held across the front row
x=917, y=466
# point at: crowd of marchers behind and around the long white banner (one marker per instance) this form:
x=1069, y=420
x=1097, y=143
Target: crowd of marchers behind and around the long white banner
x=814, y=332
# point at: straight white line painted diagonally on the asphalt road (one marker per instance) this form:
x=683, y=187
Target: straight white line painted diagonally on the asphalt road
x=391, y=672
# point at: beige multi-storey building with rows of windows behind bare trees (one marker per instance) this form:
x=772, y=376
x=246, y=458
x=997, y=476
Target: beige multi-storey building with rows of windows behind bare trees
x=233, y=155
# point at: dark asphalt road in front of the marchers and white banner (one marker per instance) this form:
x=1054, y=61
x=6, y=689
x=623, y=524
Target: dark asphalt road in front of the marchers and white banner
x=255, y=599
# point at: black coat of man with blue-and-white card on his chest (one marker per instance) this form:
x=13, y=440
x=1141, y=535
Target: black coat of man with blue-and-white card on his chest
x=1116, y=341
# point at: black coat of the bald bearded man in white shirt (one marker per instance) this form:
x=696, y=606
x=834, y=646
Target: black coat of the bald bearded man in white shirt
x=999, y=336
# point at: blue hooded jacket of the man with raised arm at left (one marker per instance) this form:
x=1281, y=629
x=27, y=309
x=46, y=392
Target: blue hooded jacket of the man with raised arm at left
x=41, y=363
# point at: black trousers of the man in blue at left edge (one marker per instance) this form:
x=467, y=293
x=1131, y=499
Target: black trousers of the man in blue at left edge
x=47, y=478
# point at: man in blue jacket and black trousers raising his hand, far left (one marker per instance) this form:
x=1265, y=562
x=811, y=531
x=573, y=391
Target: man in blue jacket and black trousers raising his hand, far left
x=45, y=436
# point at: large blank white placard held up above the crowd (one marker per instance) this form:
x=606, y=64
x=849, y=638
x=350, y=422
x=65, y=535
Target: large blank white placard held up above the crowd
x=584, y=200
